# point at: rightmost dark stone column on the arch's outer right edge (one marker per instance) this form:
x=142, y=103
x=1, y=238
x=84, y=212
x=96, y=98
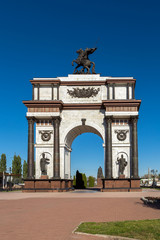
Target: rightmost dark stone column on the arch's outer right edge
x=134, y=169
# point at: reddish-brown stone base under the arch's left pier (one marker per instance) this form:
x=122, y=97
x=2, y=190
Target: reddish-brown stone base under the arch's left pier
x=48, y=185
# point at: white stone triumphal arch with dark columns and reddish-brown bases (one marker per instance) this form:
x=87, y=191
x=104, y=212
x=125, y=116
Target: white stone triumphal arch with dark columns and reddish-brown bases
x=64, y=107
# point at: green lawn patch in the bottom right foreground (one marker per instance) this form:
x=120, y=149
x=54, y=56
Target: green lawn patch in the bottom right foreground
x=143, y=229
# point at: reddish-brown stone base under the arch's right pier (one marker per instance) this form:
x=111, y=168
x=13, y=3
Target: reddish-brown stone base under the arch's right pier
x=121, y=185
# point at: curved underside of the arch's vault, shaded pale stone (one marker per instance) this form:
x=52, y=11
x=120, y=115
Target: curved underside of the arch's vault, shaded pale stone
x=78, y=130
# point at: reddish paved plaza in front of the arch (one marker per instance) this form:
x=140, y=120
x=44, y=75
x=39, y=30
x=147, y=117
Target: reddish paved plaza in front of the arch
x=37, y=216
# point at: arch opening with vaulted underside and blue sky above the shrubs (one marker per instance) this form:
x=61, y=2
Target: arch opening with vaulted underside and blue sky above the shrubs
x=88, y=152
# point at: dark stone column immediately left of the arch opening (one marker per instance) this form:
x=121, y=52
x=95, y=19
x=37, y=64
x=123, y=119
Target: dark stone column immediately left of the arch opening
x=56, y=155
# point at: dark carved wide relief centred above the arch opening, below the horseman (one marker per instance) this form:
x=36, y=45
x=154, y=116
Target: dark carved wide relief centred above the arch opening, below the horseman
x=83, y=92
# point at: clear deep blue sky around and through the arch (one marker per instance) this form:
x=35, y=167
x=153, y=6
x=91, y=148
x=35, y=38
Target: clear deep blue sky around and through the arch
x=39, y=39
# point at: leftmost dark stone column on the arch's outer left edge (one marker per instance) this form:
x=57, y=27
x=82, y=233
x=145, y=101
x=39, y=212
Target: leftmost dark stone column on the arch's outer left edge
x=30, y=147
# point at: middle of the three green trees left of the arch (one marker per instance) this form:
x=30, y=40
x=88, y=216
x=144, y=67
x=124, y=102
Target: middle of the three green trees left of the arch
x=16, y=167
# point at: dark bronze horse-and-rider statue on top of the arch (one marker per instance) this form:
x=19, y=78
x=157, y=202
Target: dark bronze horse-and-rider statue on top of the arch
x=84, y=62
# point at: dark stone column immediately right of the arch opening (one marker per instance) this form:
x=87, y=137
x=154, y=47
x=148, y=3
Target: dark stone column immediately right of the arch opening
x=108, y=153
